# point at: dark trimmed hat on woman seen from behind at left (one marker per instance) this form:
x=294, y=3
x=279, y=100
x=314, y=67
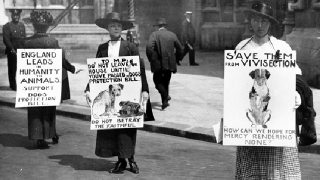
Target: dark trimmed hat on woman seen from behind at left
x=40, y=17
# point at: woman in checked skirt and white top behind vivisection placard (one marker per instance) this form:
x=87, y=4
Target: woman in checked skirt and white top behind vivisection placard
x=256, y=162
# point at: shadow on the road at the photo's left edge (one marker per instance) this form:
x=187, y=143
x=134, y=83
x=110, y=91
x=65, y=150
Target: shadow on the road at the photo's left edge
x=16, y=140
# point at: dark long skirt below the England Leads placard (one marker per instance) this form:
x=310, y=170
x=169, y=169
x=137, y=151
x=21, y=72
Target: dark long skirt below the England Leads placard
x=41, y=122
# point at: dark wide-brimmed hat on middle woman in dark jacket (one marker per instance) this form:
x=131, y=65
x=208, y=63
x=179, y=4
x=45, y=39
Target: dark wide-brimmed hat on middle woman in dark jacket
x=113, y=17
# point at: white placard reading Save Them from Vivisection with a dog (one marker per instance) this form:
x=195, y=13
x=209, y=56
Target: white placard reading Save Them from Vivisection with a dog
x=259, y=98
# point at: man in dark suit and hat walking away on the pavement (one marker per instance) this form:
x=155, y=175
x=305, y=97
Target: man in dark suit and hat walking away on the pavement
x=163, y=51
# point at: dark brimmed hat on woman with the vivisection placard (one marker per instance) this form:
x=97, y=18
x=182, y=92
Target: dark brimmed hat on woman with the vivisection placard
x=261, y=9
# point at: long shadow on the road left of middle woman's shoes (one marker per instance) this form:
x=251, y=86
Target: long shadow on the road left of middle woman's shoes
x=79, y=162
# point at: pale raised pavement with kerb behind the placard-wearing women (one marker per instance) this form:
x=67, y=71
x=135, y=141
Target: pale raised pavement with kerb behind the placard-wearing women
x=196, y=91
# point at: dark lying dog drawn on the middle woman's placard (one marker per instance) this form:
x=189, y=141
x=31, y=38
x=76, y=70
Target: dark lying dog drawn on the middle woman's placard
x=129, y=109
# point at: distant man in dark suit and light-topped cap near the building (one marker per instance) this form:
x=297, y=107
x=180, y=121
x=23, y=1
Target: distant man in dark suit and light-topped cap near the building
x=188, y=38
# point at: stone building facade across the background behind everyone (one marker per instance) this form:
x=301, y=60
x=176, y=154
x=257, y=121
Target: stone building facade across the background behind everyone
x=219, y=24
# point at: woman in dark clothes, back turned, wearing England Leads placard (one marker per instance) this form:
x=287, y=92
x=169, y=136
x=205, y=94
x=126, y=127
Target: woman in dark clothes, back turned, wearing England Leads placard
x=42, y=119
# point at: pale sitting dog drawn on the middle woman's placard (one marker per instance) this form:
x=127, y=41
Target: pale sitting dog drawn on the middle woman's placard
x=103, y=104
